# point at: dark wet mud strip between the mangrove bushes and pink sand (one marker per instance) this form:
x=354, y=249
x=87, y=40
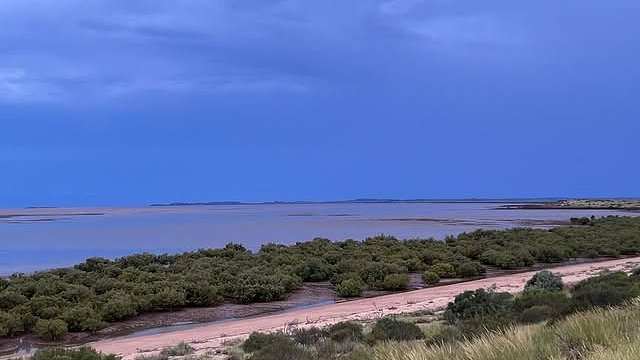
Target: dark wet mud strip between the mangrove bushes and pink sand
x=310, y=296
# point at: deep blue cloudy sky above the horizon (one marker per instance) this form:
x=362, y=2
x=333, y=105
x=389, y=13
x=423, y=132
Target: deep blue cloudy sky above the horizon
x=125, y=102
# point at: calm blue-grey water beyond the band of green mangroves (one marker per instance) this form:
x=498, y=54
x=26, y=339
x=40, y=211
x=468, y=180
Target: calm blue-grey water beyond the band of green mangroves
x=56, y=237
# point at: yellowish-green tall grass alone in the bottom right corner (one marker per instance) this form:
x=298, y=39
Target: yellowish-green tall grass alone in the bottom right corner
x=603, y=334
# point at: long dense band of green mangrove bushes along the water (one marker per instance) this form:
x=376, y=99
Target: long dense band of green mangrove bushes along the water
x=85, y=297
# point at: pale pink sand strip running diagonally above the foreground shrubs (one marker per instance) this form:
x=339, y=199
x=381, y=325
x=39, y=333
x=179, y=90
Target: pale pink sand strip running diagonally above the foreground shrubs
x=215, y=335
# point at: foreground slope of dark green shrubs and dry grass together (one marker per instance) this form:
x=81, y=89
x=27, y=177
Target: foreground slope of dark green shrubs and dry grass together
x=484, y=325
